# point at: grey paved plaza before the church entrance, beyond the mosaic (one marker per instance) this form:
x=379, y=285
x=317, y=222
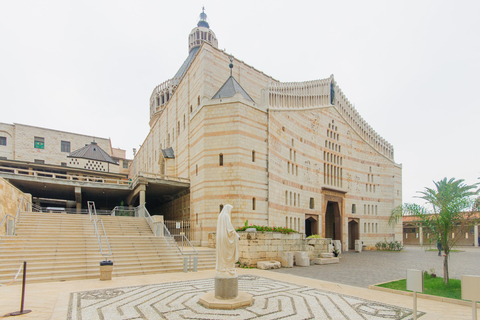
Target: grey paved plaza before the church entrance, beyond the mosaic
x=371, y=267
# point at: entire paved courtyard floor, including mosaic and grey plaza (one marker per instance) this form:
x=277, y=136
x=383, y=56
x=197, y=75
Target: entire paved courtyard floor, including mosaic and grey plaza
x=316, y=292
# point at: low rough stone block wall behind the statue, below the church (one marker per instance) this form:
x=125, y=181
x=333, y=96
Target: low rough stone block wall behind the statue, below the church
x=261, y=246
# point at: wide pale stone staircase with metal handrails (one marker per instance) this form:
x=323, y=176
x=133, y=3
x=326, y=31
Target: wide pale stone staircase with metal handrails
x=60, y=247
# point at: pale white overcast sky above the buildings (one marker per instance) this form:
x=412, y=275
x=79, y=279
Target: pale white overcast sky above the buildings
x=411, y=68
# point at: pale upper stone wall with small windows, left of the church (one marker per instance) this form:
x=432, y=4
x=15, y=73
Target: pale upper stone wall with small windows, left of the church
x=51, y=153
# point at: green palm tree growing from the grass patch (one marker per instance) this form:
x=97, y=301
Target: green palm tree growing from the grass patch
x=451, y=209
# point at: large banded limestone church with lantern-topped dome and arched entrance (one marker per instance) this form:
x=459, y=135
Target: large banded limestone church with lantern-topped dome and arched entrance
x=291, y=154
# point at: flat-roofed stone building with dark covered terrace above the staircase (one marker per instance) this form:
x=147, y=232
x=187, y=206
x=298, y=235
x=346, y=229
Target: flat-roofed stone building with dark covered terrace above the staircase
x=63, y=169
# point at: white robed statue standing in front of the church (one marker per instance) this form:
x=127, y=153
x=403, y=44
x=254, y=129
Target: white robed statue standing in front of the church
x=227, y=244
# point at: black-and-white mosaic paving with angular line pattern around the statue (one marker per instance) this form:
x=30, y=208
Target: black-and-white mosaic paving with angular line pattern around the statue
x=272, y=300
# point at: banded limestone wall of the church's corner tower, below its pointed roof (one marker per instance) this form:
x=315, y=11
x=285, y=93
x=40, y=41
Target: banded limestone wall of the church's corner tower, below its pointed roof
x=228, y=163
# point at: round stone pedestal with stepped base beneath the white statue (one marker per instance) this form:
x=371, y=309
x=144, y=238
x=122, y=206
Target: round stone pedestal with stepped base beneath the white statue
x=226, y=295
